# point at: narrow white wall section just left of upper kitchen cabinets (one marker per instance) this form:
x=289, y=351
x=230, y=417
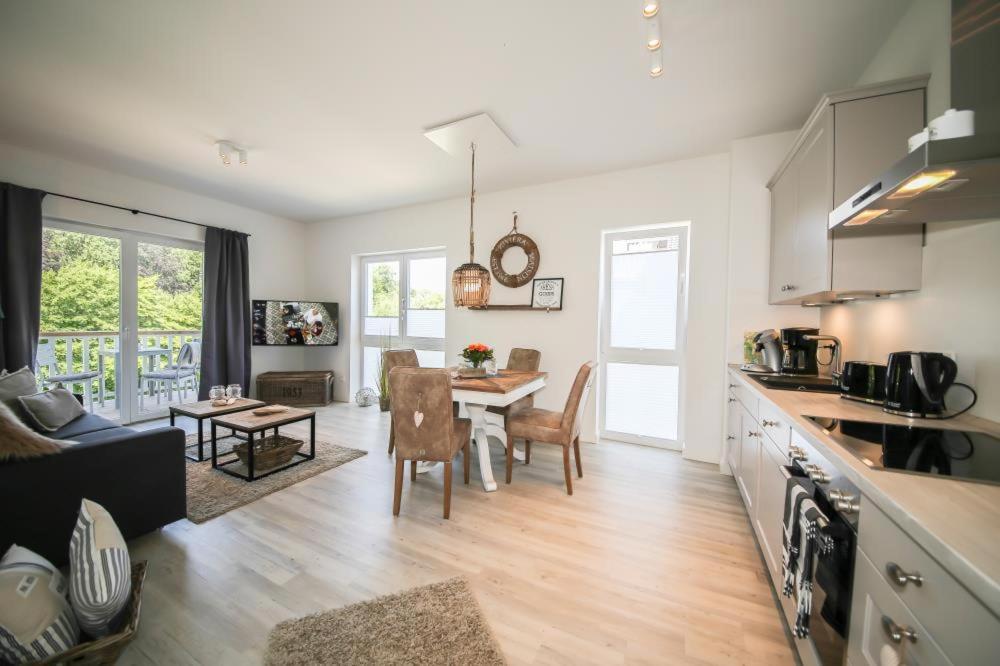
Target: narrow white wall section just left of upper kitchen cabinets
x=753, y=162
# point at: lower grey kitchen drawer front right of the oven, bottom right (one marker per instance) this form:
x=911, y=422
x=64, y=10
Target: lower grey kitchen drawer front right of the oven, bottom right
x=873, y=606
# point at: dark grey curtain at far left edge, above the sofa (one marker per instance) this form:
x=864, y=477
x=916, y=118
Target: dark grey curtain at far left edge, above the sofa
x=20, y=274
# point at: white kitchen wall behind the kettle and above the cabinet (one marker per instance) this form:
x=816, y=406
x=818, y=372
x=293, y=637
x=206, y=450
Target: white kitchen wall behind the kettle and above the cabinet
x=958, y=307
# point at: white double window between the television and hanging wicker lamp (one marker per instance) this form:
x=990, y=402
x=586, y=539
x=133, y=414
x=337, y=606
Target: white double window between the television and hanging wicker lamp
x=403, y=306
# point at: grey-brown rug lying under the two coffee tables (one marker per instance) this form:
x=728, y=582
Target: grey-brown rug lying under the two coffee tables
x=211, y=493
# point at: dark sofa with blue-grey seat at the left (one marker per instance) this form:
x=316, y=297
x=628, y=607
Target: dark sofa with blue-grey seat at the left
x=138, y=476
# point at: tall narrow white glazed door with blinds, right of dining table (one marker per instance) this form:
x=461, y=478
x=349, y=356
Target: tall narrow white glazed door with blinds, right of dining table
x=642, y=335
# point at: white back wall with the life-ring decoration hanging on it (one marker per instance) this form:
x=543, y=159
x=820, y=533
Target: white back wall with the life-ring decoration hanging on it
x=565, y=219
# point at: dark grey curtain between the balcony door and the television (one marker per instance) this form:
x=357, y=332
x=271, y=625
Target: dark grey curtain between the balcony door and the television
x=225, y=341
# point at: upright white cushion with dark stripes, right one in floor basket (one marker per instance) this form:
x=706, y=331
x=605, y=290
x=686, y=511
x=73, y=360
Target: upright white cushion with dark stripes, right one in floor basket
x=100, y=577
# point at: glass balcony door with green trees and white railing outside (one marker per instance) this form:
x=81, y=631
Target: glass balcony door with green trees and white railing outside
x=116, y=308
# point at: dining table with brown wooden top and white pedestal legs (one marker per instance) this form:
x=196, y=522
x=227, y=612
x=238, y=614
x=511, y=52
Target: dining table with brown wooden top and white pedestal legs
x=475, y=394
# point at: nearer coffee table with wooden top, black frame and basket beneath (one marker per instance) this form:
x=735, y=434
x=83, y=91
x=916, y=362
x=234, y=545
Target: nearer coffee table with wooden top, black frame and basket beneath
x=256, y=428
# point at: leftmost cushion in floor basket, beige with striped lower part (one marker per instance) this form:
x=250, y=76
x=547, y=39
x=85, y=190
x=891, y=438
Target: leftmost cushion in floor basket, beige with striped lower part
x=36, y=621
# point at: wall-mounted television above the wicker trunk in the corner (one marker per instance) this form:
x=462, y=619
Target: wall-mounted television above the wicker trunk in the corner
x=295, y=323
